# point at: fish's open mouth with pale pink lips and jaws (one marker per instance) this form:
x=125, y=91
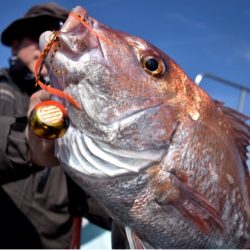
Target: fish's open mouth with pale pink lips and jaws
x=75, y=40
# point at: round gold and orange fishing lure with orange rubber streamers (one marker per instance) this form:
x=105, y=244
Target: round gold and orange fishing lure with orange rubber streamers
x=49, y=119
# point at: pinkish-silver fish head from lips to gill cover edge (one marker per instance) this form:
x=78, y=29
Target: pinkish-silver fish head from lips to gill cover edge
x=131, y=94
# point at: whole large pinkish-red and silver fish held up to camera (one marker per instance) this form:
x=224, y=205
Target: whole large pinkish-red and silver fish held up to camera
x=166, y=161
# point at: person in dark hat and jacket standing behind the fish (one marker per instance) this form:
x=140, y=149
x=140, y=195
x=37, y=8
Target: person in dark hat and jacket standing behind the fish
x=37, y=204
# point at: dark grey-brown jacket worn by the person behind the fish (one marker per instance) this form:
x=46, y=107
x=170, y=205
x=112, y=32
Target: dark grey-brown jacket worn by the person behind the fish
x=36, y=208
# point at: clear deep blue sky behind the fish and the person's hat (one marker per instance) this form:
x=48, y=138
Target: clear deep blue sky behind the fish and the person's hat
x=200, y=35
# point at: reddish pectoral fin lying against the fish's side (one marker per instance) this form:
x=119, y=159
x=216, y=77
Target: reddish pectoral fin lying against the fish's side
x=190, y=203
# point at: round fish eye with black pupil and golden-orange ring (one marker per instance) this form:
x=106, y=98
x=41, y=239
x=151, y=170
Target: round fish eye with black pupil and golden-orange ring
x=152, y=64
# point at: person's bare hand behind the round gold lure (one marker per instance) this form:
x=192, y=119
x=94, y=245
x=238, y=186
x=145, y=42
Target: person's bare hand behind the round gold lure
x=42, y=151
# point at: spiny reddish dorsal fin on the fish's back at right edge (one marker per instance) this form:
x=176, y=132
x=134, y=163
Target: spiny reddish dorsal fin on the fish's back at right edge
x=241, y=134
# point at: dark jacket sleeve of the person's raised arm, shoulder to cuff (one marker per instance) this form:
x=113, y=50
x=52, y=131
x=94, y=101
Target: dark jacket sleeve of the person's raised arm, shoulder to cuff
x=14, y=154
